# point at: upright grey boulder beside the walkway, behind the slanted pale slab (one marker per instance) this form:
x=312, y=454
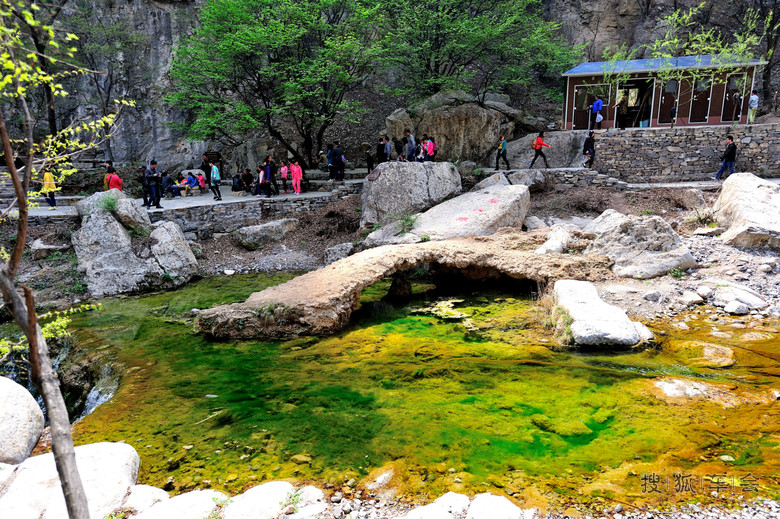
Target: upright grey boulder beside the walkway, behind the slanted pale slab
x=396, y=189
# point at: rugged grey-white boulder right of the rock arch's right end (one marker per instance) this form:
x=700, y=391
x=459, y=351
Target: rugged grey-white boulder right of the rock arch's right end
x=640, y=247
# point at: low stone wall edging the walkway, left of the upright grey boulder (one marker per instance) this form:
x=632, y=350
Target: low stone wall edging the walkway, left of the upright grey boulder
x=205, y=220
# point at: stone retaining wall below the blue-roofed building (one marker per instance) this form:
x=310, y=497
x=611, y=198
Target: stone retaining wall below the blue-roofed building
x=683, y=154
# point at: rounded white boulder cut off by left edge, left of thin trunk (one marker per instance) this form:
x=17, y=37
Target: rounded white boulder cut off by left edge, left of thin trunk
x=21, y=422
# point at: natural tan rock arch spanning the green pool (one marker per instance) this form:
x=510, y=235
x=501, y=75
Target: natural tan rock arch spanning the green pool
x=322, y=301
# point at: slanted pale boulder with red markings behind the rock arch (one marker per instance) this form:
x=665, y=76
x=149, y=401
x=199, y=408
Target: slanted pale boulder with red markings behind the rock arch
x=475, y=213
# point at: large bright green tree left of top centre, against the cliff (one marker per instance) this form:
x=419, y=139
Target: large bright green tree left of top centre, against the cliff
x=285, y=66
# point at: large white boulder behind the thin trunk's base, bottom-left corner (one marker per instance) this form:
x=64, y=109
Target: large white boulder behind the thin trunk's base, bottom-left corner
x=107, y=470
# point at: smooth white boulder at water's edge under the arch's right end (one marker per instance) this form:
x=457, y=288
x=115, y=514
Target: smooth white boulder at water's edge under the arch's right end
x=590, y=320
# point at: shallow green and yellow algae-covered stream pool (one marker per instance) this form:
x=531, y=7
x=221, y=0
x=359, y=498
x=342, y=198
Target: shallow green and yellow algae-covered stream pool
x=452, y=396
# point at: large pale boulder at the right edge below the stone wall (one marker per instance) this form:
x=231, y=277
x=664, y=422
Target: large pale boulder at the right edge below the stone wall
x=748, y=207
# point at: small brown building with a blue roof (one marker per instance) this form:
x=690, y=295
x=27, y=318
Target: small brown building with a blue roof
x=659, y=92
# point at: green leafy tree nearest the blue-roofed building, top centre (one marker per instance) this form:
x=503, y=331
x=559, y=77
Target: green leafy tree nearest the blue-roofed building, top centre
x=473, y=44
